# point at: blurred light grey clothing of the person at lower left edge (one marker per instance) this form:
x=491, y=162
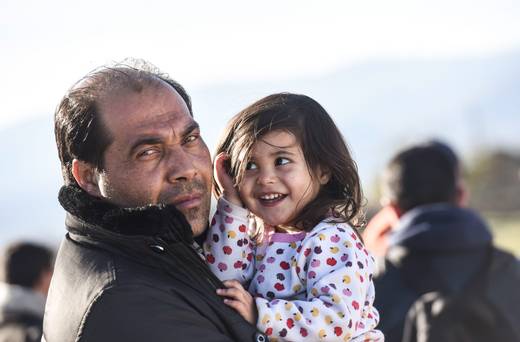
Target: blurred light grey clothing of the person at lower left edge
x=21, y=313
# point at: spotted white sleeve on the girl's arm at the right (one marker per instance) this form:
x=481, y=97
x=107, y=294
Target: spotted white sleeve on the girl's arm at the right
x=335, y=269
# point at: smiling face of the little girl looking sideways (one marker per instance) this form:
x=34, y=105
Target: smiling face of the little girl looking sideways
x=277, y=183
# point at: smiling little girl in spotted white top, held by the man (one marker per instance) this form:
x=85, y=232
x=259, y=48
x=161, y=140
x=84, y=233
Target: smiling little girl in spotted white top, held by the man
x=289, y=193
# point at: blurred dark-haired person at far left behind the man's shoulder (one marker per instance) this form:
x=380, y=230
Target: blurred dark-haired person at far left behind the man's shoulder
x=25, y=275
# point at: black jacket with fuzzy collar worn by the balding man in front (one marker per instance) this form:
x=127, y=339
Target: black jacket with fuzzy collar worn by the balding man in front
x=133, y=275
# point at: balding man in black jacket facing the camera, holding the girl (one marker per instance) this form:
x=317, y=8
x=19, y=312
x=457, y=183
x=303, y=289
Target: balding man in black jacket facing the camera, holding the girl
x=137, y=191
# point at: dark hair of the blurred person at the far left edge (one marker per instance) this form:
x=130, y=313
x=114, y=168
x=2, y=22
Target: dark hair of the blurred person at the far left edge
x=23, y=263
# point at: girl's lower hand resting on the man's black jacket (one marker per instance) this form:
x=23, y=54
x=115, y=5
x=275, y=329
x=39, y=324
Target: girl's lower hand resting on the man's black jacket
x=240, y=300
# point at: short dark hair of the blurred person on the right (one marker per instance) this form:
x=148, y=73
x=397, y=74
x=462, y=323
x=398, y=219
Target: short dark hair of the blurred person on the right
x=423, y=174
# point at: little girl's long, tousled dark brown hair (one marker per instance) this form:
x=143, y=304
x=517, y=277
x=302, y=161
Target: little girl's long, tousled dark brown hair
x=322, y=145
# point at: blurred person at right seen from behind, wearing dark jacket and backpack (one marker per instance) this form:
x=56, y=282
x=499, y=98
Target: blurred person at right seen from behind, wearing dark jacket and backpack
x=436, y=253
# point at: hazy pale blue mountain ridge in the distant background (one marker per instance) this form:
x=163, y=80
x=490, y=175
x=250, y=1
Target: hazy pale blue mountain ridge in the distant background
x=379, y=107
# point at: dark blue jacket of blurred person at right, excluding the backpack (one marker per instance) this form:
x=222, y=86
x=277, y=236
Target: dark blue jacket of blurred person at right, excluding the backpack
x=437, y=247
